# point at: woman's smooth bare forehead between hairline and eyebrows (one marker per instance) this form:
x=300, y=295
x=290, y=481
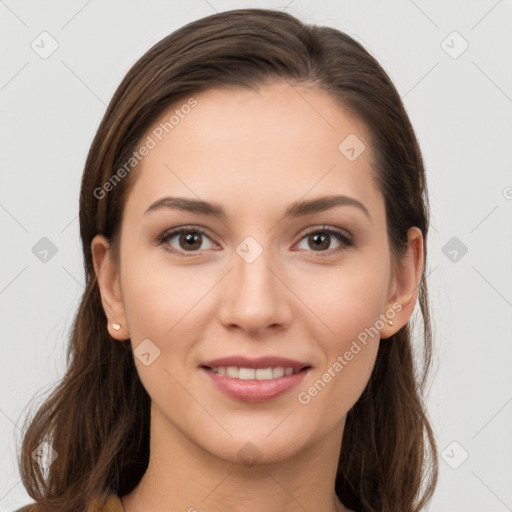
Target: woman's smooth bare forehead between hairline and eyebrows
x=277, y=143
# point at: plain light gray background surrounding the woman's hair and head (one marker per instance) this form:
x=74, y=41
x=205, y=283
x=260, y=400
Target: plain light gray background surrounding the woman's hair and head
x=460, y=105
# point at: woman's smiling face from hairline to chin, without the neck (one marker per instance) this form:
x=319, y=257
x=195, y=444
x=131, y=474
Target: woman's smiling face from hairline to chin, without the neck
x=255, y=281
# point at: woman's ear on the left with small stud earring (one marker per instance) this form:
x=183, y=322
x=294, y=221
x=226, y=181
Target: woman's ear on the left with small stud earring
x=107, y=273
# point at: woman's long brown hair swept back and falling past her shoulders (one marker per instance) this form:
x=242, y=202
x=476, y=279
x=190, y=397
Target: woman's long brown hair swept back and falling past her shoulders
x=97, y=418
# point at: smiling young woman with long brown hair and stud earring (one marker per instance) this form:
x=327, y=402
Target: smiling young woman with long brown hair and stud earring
x=254, y=215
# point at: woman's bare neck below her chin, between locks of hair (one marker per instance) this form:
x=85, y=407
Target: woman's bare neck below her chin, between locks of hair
x=183, y=476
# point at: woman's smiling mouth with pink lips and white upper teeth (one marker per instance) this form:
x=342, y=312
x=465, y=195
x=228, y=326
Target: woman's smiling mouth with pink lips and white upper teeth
x=256, y=380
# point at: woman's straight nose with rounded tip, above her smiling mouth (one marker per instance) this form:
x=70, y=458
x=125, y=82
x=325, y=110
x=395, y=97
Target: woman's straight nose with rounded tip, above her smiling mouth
x=255, y=297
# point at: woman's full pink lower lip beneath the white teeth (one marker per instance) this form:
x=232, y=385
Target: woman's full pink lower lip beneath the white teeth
x=254, y=390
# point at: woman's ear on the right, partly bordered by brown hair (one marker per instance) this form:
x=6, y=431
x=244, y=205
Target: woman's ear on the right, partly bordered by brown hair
x=405, y=285
